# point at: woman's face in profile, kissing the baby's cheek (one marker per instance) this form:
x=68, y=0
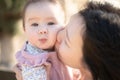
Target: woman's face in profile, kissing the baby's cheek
x=70, y=42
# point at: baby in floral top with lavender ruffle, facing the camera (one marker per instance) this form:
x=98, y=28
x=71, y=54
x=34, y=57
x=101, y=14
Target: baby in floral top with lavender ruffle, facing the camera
x=42, y=19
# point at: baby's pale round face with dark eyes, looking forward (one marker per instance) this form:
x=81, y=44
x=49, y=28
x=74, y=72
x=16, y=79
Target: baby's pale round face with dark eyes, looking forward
x=42, y=22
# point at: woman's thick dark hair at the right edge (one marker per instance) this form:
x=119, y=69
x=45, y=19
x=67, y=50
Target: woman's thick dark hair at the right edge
x=101, y=48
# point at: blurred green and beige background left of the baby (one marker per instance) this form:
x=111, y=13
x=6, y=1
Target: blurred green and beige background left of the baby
x=10, y=14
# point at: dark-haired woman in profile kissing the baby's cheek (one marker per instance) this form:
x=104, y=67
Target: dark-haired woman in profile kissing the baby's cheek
x=91, y=42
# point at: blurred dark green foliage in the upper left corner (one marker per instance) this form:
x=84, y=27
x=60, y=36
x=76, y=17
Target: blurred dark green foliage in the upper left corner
x=10, y=13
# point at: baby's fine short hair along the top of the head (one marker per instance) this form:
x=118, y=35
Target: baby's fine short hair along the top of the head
x=60, y=2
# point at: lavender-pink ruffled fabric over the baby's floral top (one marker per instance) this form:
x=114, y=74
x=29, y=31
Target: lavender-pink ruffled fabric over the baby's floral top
x=55, y=69
